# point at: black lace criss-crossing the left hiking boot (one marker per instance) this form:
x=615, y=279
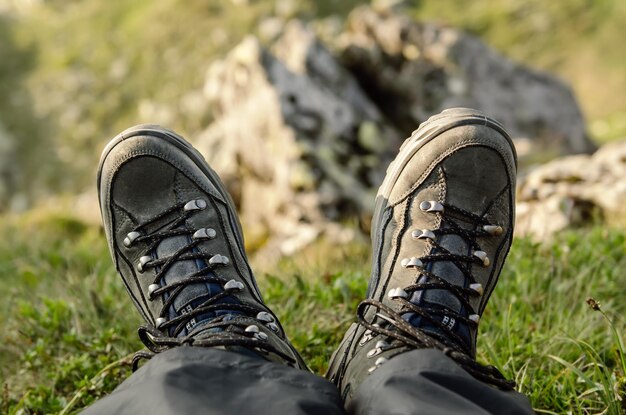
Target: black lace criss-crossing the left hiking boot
x=231, y=329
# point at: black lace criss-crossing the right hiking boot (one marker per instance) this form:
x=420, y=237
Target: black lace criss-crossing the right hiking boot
x=387, y=322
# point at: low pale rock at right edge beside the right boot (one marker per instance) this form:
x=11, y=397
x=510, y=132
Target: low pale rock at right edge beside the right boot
x=573, y=191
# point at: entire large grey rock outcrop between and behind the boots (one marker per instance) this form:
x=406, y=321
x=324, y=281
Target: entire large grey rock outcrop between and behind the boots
x=302, y=136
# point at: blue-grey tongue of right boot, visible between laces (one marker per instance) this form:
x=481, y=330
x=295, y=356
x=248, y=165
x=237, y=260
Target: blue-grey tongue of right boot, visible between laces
x=443, y=300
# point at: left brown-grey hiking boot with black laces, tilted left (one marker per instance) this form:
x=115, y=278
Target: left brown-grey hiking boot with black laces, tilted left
x=175, y=239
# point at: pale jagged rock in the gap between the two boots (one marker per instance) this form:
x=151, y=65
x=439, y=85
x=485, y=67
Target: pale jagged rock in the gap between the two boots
x=297, y=141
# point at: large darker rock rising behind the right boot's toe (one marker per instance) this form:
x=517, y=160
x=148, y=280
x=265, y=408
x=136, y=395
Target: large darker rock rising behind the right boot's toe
x=414, y=70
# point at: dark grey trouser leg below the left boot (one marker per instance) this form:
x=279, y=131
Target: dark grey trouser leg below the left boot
x=193, y=380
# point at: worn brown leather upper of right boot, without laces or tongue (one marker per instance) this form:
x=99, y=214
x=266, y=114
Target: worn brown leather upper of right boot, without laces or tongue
x=458, y=158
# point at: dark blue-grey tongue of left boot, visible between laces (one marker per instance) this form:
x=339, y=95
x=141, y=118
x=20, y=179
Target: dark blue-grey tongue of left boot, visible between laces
x=192, y=295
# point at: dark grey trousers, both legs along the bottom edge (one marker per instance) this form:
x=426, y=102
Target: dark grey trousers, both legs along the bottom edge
x=193, y=380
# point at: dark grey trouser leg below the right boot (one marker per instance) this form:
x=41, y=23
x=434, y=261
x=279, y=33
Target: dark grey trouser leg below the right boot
x=426, y=381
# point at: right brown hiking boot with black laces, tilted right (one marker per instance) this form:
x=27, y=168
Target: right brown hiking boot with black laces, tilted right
x=441, y=230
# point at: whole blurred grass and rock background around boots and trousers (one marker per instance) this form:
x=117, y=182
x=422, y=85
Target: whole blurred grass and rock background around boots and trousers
x=300, y=105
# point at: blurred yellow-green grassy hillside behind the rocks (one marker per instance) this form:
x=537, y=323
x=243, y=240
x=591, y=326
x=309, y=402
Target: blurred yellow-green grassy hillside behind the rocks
x=74, y=73
